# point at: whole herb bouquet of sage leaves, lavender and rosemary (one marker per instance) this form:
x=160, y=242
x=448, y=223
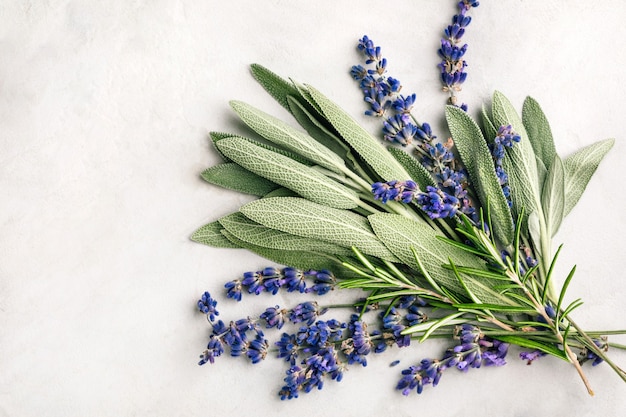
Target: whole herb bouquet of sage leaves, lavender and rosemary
x=446, y=238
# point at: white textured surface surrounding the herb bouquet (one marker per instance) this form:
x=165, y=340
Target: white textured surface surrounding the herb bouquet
x=104, y=112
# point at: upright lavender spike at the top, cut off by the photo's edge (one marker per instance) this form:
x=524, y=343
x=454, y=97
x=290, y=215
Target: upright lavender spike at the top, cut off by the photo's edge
x=452, y=65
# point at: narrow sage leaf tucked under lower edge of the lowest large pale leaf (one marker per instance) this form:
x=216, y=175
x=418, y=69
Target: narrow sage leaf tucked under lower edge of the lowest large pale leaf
x=252, y=232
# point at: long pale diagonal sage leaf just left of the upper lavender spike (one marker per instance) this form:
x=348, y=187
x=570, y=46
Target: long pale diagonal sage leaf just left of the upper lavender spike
x=360, y=140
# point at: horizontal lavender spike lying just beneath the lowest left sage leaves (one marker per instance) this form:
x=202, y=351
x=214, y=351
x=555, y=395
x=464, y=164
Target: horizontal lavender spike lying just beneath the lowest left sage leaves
x=272, y=280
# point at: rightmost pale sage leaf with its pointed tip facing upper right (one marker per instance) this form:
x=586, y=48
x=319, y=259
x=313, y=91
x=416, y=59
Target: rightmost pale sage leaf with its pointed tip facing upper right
x=579, y=169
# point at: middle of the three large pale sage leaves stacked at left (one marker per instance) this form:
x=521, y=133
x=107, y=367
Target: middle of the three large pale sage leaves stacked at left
x=284, y=171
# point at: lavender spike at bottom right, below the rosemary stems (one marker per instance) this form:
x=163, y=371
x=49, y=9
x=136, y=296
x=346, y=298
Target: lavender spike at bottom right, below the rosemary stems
x=474, y=350
